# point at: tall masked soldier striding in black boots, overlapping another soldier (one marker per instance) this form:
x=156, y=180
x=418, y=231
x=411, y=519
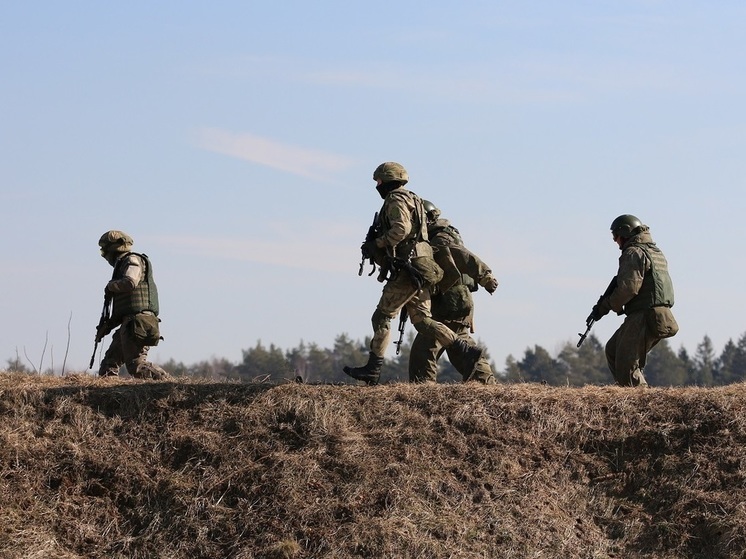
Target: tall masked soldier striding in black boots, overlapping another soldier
x=401, y=247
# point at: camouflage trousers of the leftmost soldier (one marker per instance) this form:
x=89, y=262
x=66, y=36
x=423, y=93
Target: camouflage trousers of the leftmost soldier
x=126, y=349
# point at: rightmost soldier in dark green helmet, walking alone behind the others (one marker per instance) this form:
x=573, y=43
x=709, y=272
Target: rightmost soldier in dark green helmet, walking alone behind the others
x=644, y=293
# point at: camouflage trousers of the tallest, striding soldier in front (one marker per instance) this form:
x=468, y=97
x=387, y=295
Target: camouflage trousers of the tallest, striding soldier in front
x=396, y=294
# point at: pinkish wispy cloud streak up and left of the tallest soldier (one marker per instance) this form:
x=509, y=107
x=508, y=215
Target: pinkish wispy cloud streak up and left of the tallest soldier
x=305, y=162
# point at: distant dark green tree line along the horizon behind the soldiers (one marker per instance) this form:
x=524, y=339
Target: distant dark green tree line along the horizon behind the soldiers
x=573, y=366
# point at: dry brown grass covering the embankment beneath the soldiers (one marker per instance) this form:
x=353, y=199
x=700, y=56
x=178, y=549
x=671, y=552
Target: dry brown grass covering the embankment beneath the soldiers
x=112, y=468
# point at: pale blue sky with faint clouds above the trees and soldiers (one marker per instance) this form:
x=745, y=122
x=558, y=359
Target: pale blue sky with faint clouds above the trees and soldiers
x=235, y=142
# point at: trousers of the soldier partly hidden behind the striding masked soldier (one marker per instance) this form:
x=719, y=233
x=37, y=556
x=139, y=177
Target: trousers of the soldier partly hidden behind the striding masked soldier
x=425, y=352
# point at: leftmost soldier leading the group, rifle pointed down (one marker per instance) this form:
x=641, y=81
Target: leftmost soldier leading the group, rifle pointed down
x=134, y=297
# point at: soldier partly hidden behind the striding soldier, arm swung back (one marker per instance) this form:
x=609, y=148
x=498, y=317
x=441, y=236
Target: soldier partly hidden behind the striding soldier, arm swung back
x=452, y=302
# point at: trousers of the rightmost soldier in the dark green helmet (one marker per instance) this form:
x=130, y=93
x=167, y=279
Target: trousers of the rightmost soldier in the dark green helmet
x=627, y=350
